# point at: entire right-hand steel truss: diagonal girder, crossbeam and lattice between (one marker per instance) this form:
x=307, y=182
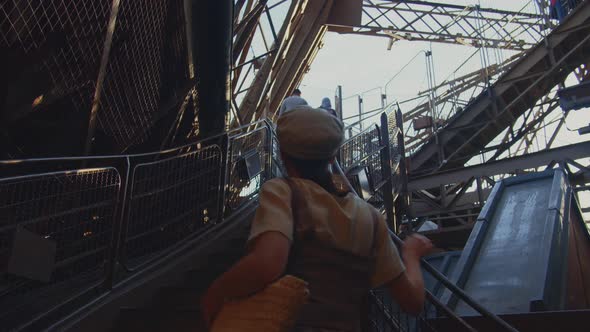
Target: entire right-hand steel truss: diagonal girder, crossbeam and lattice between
x=518, y=121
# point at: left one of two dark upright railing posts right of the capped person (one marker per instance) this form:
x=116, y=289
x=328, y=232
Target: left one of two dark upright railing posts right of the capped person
x=387, y=173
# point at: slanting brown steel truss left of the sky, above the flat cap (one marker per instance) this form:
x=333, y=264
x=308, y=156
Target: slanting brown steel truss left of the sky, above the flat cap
x=282, y=67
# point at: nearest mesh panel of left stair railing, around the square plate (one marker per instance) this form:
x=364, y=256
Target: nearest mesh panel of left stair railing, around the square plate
x=76, y=211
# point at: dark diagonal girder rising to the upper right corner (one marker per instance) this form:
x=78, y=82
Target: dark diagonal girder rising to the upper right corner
x=470, y=131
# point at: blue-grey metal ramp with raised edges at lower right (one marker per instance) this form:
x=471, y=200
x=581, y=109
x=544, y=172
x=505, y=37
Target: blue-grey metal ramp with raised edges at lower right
x=515, y=259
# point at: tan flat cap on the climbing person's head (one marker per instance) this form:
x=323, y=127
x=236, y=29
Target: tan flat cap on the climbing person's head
x=309, y=133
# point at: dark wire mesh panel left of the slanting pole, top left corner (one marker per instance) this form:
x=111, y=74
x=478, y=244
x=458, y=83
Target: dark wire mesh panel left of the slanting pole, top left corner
x=51, y=48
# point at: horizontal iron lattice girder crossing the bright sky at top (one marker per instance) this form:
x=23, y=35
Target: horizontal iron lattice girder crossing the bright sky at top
x=453, y=24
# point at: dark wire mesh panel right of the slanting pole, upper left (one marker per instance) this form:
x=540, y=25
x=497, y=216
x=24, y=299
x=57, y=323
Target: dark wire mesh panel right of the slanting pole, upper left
x=147, y=66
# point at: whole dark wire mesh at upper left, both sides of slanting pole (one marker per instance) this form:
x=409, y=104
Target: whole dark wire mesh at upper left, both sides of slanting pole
x=53, y=57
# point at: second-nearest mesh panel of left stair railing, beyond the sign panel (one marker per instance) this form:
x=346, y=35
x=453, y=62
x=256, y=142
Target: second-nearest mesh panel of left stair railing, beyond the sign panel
x=171, y=200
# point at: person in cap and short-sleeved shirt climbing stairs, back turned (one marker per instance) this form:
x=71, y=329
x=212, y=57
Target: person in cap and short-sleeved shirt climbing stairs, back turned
x=332, y=239
